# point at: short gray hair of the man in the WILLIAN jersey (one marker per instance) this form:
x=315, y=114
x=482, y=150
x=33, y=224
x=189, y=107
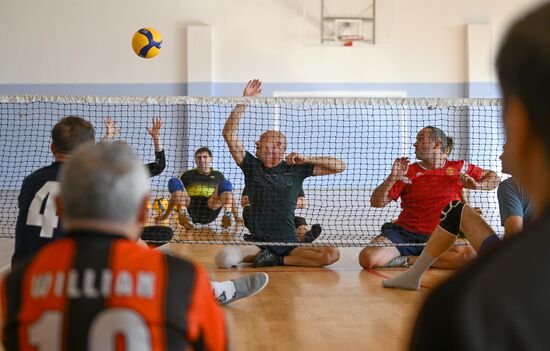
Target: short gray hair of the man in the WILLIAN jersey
x=103, y=182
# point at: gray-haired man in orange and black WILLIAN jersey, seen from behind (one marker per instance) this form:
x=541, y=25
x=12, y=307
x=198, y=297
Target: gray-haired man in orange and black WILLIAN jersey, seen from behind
x=96, y=289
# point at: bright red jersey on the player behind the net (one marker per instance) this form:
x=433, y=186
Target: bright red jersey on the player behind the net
x=424, y=193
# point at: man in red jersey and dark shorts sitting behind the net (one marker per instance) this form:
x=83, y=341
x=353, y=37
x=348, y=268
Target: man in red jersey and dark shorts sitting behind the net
x=425, y=188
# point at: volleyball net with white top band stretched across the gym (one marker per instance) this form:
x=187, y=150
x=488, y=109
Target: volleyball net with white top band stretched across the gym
x=367, y=134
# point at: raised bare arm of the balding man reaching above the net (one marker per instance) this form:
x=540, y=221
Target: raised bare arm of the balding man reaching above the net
x=230, y=129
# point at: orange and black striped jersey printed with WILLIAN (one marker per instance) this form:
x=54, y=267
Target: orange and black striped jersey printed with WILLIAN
x=97, y=291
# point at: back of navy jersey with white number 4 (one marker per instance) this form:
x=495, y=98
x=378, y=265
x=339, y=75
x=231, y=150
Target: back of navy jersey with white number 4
x=37, y=221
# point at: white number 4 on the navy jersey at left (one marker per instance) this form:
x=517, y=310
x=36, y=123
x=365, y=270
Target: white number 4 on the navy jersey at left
x=48, y=220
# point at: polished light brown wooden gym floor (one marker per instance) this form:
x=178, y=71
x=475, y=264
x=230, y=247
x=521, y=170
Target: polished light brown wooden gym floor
x=341, y=307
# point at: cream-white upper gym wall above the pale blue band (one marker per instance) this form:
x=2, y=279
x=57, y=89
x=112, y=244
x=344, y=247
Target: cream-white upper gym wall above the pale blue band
x=80, y=42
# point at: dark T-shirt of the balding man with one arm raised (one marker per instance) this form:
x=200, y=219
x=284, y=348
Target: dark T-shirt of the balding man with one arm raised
x=272, y=193
